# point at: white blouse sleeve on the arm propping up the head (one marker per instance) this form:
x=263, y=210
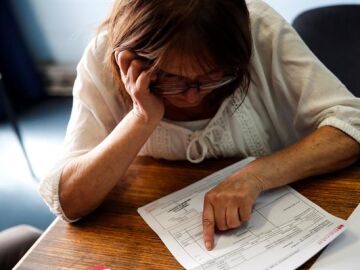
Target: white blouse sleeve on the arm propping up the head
x=96, y=110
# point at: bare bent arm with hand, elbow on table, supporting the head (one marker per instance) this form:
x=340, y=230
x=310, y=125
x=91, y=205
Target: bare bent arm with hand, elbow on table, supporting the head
x=87, y=180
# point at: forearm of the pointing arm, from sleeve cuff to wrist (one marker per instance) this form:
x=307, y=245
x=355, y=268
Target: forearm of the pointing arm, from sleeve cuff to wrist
x=325, y=150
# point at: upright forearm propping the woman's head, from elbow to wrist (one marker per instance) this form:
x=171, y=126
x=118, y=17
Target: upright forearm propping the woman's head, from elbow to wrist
x=86, y=181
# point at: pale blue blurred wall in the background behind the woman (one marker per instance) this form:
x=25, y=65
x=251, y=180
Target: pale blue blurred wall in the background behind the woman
x=58, y=30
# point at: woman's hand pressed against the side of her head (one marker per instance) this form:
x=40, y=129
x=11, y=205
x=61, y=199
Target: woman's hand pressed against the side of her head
x=136, y=78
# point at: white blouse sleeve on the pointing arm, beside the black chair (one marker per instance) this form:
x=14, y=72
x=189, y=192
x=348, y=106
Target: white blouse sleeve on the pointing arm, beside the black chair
x=302, y=88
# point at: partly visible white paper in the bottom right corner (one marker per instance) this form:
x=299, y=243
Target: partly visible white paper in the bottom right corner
x=344, y=252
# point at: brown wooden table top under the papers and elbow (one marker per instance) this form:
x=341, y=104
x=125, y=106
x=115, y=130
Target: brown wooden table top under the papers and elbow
x=115, y=234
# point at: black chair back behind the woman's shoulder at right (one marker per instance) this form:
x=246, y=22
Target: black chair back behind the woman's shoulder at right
x=333, y=35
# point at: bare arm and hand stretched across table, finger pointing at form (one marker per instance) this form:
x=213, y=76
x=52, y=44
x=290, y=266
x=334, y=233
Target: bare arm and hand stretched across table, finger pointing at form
x=230, y=203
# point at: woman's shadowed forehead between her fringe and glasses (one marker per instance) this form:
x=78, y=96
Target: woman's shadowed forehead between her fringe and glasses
x=185, y=65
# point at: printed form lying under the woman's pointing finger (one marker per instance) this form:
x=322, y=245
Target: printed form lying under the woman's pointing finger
x=285, y=230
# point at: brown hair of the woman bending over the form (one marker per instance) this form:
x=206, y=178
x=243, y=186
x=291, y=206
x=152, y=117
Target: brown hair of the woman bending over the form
x=207, y=30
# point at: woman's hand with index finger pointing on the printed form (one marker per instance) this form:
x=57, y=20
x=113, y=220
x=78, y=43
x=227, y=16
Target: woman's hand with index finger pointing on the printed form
x=229, y=204
